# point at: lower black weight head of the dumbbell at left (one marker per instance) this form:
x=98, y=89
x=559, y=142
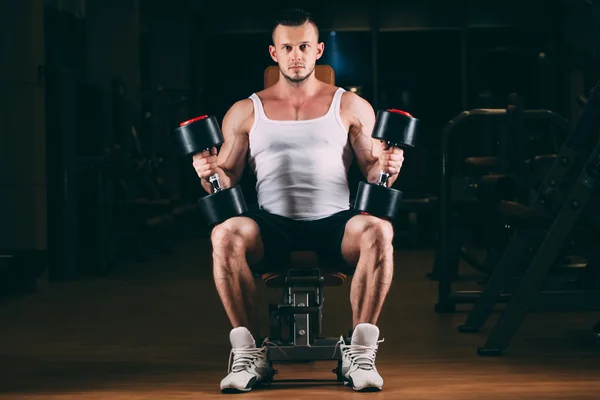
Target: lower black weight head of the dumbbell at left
x=227, y=203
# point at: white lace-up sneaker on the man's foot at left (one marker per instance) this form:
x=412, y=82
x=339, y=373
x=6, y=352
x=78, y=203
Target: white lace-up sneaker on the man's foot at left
x=248, y=365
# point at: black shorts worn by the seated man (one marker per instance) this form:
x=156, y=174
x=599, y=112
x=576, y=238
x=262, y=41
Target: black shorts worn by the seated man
x=282, y=235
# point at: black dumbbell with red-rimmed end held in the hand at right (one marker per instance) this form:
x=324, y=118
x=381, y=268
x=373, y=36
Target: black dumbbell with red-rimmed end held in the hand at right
x=396, y=128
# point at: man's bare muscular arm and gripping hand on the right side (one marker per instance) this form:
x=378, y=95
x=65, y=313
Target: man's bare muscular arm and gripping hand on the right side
x=371, y=154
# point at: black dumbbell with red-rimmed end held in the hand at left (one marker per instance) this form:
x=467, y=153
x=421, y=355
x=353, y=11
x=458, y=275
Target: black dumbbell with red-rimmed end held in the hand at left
x=202, y=134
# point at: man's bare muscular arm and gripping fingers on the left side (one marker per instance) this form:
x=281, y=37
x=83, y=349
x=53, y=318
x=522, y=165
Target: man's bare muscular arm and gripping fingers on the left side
x=231, y=159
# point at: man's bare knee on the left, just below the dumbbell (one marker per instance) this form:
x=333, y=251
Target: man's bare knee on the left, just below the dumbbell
x=232, y=236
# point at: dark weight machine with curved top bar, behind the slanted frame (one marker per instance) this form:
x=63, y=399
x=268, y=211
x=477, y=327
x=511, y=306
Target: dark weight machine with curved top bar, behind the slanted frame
x=504, y=177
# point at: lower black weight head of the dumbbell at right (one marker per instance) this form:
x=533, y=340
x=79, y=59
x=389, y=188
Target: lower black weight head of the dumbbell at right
x=377, y=200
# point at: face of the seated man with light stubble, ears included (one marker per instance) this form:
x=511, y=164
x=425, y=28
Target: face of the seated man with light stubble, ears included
x=296, y=51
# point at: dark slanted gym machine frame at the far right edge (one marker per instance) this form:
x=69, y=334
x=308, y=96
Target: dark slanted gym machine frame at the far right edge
x=554, y=216
